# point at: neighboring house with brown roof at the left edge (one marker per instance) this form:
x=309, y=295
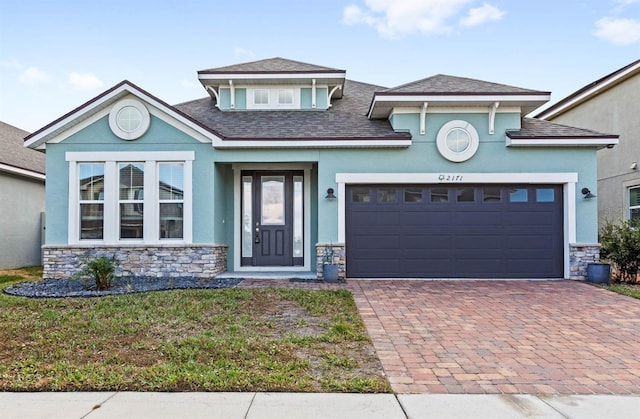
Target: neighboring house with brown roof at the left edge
x=21, y=200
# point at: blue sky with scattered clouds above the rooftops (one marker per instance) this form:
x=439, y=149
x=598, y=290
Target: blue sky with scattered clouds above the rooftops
x=56, y=55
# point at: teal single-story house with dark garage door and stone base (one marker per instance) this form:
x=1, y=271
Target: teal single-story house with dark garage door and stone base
x=443, y=177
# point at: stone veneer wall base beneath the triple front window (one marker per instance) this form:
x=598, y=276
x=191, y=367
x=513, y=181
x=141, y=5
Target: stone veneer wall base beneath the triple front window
x=156, y=261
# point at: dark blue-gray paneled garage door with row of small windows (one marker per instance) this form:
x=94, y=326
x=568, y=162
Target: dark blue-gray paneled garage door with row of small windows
x=461, y=231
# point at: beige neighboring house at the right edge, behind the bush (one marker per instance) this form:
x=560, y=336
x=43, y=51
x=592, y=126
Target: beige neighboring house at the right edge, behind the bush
x=610, y=104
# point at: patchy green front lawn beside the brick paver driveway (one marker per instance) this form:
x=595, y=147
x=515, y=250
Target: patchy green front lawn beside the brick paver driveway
x=270, y=339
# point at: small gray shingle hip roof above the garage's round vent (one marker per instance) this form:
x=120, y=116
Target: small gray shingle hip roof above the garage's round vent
x=442, y=84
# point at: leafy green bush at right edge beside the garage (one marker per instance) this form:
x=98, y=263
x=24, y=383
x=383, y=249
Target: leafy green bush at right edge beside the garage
x=621, y=246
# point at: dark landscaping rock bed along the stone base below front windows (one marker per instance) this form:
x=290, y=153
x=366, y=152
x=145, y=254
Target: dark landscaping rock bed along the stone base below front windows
x=61, y=288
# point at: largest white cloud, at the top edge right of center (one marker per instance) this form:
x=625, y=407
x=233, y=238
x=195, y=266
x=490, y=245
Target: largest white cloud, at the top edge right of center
x=393, y=18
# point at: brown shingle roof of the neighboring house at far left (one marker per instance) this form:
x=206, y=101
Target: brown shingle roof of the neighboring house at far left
x=13, y=152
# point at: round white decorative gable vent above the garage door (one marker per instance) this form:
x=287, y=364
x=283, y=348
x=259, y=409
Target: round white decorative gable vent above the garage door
x=457, y=141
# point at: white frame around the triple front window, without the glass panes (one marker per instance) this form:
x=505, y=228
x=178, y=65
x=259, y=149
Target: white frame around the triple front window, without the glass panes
x=151, y=203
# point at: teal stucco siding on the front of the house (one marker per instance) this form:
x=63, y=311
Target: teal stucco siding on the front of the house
x=214, y=188
